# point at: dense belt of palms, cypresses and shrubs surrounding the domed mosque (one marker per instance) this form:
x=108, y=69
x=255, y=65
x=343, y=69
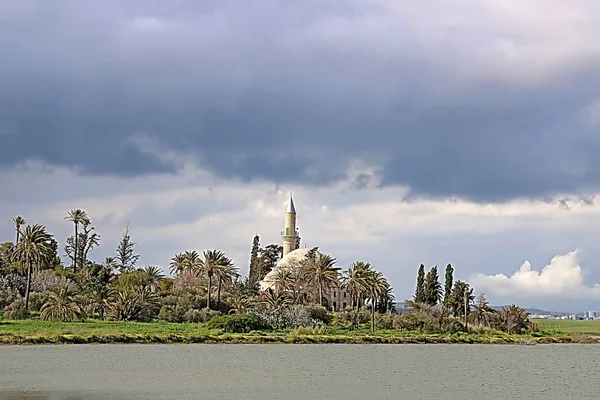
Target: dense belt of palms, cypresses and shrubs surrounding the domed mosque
x=206, y=295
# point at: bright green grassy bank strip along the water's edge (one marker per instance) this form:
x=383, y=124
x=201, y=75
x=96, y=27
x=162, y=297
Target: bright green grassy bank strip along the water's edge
x=37, y=332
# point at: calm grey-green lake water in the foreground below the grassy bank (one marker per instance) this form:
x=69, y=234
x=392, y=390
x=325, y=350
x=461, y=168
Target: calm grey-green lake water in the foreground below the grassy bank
x=415, y=372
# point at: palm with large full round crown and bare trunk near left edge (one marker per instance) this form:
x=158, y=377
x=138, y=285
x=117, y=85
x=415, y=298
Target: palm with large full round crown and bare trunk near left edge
x=32, y=248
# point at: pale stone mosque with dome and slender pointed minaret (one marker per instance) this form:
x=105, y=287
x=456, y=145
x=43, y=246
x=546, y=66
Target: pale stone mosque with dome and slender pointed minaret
x=336, y=298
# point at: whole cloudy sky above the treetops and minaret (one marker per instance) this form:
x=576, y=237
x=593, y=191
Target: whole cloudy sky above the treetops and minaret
x=435, y=132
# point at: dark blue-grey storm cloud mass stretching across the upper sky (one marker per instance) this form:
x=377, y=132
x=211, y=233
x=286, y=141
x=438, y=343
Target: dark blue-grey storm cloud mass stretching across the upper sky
x=287, y=91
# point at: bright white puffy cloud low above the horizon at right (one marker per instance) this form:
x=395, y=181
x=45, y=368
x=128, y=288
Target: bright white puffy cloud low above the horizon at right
x=563, y=277
